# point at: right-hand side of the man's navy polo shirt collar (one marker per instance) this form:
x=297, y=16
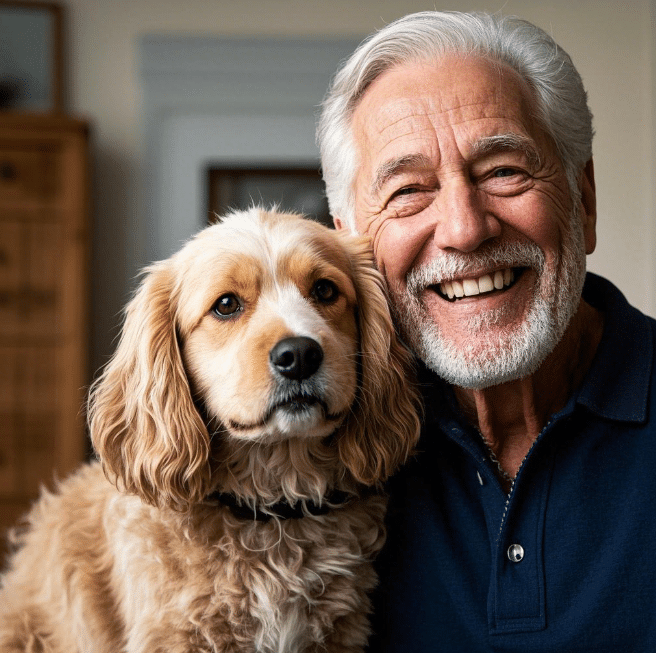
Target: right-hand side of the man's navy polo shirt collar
x=617, y=384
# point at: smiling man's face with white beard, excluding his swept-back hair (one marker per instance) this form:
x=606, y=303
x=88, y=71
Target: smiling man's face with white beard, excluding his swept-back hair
x=471, y=217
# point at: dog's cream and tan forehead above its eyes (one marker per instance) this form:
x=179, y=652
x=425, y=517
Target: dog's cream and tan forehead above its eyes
x=249, y=261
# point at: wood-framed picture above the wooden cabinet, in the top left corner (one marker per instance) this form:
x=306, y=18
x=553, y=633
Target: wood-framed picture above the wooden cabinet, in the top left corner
x=31, y=56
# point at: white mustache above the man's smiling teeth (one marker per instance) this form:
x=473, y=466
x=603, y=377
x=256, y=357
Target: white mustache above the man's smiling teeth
x=459, y=265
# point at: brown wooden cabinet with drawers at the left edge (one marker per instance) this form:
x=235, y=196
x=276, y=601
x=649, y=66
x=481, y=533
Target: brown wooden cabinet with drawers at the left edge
x=44, y=250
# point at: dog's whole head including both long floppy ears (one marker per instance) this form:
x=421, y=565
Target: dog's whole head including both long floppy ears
x=262, y=328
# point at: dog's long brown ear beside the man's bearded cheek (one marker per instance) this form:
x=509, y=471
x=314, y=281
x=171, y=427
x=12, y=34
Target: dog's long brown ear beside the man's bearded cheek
x=382, y=432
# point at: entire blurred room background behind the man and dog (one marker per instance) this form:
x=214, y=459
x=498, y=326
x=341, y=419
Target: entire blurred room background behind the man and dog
x=122, y=135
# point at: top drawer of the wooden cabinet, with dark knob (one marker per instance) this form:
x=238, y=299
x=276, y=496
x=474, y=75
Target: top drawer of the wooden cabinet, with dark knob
x=27, y=173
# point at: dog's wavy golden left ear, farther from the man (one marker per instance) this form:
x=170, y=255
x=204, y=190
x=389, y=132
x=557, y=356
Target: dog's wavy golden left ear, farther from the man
x=144, y=426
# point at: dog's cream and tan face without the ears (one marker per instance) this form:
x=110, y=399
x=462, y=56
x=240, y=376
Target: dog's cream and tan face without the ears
x=267, y=319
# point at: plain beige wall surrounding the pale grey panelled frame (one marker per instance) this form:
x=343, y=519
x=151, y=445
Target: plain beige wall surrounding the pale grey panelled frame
x=611, y=42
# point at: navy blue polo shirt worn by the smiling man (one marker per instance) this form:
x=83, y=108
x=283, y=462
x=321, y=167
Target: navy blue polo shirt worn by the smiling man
x=567, y=562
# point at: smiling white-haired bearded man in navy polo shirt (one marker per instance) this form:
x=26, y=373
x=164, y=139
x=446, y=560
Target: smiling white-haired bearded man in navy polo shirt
x=462, y=145
